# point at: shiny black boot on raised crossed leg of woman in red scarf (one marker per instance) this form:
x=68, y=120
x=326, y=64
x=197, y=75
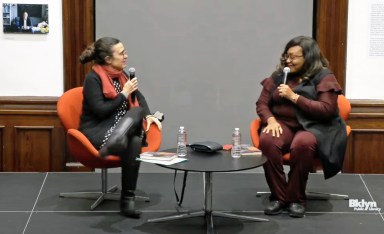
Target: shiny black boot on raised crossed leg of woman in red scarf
x=119, y=138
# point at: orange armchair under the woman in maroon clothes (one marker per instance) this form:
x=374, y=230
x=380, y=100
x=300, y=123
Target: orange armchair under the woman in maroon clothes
x=344, y=110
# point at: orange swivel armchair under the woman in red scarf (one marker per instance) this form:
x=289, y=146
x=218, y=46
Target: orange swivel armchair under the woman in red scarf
x=69, y=109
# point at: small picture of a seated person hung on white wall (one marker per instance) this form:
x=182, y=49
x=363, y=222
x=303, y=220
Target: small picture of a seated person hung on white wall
x=25, y=18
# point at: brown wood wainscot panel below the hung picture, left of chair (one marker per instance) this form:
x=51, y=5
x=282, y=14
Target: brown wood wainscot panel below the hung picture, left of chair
x=31, y=136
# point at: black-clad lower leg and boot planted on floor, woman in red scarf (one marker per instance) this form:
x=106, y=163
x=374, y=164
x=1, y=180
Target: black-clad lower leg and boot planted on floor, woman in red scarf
x=129, y=174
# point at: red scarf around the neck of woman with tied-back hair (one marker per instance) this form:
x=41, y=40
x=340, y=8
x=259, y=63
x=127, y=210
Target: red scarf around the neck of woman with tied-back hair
x=106, y=73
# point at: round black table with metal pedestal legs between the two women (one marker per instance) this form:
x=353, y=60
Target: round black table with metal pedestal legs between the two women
x=220, y=161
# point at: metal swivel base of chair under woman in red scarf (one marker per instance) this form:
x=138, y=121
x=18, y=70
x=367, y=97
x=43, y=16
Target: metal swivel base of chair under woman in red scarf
x=104, y=194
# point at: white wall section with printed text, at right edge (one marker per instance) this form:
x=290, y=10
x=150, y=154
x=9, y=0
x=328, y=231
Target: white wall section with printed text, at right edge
x=365, y=46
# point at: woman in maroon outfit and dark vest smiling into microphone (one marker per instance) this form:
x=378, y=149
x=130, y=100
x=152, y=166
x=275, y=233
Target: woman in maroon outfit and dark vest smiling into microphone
x=299, y=116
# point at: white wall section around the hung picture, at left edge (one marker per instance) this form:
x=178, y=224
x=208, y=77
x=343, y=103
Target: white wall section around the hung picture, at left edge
x=32, y=64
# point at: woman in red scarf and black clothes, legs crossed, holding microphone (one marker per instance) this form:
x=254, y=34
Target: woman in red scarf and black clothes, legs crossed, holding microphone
x=112, y=117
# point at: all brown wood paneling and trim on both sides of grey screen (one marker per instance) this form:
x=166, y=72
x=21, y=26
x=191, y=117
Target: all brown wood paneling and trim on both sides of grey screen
x=32, y=139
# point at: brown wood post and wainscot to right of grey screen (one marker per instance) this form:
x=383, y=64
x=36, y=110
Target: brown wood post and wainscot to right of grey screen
x=367, y=116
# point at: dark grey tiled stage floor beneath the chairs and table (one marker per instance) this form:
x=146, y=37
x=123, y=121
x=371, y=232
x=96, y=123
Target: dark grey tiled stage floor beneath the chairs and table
x=30, y=204
